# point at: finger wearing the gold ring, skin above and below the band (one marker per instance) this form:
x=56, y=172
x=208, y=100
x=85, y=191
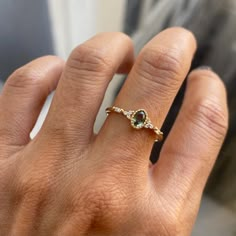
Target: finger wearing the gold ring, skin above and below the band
x=152, y=85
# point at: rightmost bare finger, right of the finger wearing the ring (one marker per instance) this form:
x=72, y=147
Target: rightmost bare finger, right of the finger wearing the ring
x=192, y=146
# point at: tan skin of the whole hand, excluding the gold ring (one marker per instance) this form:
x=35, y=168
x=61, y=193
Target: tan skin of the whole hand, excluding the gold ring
x=70, y=181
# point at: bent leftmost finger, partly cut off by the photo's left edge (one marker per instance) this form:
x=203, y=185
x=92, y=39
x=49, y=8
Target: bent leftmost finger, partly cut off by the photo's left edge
x=23, y=96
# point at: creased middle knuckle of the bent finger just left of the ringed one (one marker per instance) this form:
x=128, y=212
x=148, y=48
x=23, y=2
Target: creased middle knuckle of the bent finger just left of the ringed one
x=86, y=59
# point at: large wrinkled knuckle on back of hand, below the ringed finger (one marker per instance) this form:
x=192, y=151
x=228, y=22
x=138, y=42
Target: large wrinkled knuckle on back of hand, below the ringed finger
x=103, y=199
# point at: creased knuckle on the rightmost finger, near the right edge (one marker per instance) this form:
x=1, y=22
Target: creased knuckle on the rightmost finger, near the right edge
x=210, y=116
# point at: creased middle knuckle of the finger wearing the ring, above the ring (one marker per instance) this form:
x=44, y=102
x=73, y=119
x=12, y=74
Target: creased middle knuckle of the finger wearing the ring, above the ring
x=161, y=67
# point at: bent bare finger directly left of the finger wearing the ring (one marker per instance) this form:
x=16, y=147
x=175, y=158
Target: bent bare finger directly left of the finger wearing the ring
x=80, y=92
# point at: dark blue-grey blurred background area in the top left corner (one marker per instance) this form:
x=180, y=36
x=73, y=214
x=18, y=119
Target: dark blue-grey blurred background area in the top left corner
x=25, y=33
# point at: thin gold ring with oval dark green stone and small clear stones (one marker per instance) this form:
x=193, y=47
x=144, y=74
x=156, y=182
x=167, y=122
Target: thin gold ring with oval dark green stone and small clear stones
x=139, y=119
